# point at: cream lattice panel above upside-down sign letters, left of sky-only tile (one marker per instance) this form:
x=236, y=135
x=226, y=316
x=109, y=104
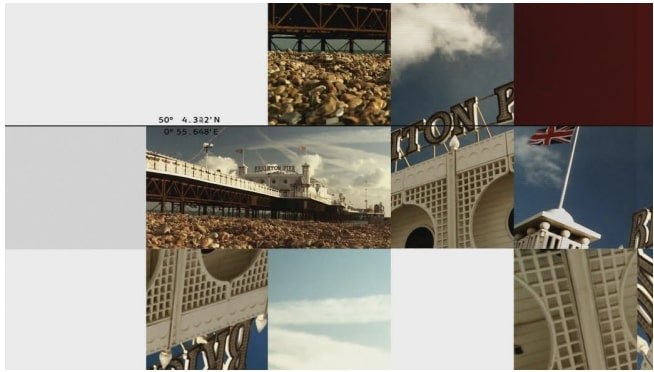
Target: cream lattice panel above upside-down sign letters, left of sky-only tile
x=185, y=300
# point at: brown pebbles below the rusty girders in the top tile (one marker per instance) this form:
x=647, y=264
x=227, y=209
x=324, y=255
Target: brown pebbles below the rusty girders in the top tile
x=354, y=88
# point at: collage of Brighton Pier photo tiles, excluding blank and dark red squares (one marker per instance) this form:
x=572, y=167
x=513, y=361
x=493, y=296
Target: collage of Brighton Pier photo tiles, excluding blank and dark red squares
x=246, y=222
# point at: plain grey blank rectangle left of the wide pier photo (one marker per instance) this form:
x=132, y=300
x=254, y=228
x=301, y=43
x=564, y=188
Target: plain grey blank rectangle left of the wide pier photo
x=75, y=188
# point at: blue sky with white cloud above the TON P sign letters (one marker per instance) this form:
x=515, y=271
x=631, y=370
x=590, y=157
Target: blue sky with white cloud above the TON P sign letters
x=444, y=54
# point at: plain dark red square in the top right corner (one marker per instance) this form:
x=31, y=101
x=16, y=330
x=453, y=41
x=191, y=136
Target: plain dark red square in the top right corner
x=571, y=68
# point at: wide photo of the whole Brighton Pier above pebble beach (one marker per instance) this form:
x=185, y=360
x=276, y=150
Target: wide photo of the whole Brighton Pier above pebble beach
x=267, y=187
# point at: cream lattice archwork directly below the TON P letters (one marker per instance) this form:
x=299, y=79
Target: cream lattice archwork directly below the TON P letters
x=444, y=193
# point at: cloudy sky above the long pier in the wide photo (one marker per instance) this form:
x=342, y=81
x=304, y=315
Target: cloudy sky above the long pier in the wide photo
x=347, y=159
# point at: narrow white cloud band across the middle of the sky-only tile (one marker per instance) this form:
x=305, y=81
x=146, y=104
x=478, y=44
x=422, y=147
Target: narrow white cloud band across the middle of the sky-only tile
x=368, y=309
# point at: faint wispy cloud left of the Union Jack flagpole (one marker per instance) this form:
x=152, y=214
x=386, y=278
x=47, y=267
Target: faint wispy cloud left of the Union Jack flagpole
x=539, y=165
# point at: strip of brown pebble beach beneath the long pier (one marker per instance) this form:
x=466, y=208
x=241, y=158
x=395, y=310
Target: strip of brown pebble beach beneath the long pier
x=175, y=230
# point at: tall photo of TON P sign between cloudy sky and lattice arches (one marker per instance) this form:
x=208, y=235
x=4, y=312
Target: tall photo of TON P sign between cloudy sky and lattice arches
x=452, y=139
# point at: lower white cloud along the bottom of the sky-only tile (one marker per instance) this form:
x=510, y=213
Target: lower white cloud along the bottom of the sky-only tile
x=300, y=350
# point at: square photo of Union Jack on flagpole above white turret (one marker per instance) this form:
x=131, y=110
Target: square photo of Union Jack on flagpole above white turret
x=583, y=187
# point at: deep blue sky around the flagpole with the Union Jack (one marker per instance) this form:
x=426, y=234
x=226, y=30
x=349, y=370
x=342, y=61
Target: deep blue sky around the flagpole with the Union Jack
x=611, y=178
